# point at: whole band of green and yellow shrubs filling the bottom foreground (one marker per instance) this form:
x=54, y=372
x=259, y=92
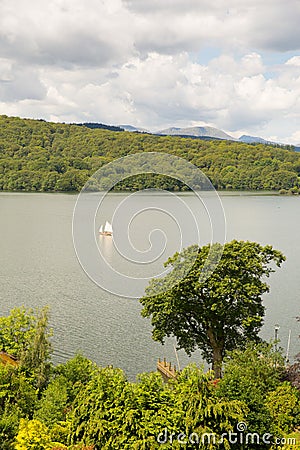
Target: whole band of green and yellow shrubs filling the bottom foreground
x=84, y=407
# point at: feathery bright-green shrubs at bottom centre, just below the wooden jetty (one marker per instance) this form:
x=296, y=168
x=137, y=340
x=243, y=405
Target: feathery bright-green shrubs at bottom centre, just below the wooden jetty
x=113, y=413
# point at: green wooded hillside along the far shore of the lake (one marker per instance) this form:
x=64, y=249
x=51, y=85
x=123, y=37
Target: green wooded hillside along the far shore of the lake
x=42, y=156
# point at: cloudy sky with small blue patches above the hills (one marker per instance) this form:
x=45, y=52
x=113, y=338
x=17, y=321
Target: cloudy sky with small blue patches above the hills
x=231, y=64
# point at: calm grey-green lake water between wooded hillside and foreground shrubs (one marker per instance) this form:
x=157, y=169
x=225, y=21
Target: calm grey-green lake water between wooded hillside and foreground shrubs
x=38, y=266
